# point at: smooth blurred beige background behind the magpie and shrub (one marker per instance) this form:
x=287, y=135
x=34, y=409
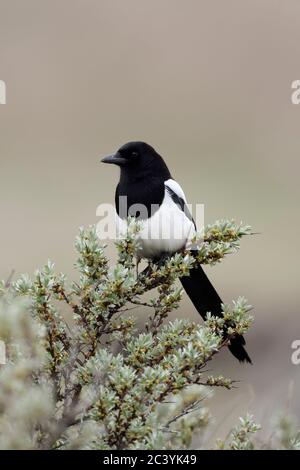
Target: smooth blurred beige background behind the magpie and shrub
x=208, y=83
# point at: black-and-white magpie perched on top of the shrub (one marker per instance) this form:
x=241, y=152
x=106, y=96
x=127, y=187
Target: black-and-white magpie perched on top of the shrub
x=147, y=191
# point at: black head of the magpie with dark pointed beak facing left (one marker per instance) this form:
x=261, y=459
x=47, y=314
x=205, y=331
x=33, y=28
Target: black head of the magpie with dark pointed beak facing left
x=137, y=159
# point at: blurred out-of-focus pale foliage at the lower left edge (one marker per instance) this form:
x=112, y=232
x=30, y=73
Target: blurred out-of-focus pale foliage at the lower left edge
x=26, y=397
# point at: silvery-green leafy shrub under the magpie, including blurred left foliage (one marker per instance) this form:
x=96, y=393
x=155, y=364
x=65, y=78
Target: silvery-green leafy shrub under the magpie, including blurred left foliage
x=80, y=374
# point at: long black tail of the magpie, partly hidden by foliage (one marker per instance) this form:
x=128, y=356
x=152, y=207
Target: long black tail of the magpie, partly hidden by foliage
x=205, y=299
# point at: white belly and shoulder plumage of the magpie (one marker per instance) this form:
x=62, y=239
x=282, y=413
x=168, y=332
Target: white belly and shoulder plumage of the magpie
x=167, y=231
